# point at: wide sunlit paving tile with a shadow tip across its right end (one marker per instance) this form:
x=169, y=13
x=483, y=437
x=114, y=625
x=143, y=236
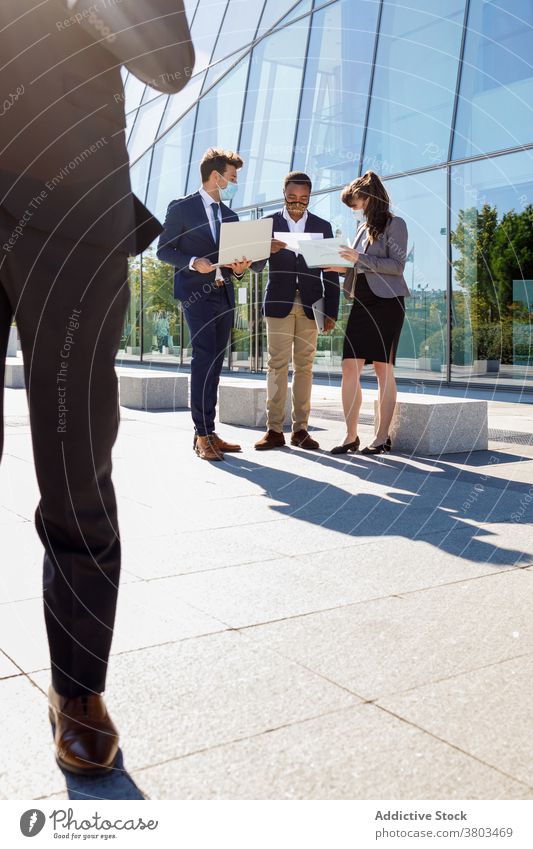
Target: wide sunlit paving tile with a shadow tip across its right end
x=292, y=586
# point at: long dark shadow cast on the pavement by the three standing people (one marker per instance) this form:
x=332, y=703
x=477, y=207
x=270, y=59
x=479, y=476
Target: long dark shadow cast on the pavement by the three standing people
x=425, y=498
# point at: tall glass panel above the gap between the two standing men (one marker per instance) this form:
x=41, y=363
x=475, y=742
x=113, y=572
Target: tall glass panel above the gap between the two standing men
x=270, y=116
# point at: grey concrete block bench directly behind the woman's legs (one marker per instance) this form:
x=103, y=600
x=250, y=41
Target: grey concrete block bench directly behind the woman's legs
x=425, y=424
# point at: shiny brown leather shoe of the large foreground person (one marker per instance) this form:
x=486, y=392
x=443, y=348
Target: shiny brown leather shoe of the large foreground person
x=85, y=736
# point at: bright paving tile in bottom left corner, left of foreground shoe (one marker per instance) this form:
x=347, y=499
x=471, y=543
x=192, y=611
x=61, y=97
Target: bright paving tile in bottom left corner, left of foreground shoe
x=28, y=766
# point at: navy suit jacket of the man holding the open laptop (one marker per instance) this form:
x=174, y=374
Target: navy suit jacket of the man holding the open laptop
x=187, y=233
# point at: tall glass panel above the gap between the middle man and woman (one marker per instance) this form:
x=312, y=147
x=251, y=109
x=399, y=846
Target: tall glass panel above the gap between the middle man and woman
x=335, y=94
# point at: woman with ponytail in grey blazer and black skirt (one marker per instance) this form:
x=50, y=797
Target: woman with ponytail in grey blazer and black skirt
x=377, y=287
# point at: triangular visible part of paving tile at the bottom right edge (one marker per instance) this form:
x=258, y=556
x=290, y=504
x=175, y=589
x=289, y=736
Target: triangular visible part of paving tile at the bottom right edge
x=486, y=712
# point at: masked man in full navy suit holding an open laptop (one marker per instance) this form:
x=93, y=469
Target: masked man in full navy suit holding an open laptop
x=190, y=242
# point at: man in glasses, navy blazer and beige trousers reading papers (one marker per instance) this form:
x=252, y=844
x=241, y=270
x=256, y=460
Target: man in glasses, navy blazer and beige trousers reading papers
x=292, y=331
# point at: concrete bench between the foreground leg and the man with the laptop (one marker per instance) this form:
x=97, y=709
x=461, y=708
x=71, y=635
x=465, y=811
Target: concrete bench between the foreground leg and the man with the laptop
x=145, y=391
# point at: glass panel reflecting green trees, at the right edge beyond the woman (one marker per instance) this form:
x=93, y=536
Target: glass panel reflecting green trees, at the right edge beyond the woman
x=492, y=234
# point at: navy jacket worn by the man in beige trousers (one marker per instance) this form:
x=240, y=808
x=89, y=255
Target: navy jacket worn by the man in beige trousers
x=313, y=283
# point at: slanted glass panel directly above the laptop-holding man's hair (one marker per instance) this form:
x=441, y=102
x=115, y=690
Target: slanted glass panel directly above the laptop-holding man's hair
x=219, y=119
